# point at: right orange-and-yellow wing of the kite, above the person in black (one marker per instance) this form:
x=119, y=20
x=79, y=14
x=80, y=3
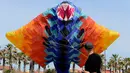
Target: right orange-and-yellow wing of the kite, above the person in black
x=98, y=35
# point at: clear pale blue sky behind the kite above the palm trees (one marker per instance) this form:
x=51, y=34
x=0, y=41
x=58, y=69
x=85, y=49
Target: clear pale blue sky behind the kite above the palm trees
x=113, y=14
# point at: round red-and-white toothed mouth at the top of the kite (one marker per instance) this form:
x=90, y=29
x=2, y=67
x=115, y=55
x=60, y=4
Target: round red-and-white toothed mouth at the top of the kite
x=65, y=11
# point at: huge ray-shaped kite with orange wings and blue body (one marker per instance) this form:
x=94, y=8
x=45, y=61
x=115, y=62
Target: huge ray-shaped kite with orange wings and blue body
x=57, y=34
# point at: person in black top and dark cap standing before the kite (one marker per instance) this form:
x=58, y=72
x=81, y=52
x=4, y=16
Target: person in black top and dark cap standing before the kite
x=94, y=61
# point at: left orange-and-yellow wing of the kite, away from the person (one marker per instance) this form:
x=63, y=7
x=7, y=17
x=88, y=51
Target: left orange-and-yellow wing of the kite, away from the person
x=29, y=39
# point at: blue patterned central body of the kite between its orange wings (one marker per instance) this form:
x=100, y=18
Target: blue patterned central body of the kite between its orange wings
x=63, y=45
